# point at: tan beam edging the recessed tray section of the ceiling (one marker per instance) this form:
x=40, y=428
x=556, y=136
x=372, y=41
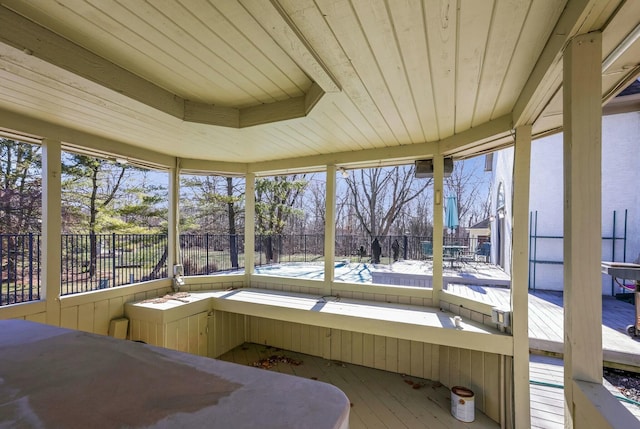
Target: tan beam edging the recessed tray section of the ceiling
x=32, y=39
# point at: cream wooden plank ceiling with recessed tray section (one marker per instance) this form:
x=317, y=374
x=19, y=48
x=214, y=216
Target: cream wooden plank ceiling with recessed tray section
x=271, y=85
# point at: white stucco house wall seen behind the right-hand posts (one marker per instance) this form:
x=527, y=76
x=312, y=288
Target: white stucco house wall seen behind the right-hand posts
x=620, y=192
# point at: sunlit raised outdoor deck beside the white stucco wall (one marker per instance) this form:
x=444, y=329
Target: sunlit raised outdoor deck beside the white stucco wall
x=546, y=322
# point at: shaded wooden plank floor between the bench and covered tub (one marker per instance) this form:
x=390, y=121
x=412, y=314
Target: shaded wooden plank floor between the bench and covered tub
x=379, y=399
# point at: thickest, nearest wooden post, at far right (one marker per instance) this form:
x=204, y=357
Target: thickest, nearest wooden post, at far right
x=582, y=215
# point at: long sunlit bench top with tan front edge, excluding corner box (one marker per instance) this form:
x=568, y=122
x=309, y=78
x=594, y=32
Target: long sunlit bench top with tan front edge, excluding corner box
x=402, y=321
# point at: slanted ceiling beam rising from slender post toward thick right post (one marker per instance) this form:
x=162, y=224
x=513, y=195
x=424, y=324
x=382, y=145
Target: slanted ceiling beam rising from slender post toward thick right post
x=542, y=82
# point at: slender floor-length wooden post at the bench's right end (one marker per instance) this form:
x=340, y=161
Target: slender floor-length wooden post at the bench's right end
x=520, y=277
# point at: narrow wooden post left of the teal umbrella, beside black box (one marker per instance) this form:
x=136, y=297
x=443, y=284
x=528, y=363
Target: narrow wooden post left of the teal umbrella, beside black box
x=438, y=224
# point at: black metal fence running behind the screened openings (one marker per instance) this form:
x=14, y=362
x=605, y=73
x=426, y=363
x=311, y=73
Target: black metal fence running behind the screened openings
x=92, y=262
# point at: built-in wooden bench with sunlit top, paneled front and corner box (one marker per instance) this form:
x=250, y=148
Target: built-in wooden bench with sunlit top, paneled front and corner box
x=407, y=339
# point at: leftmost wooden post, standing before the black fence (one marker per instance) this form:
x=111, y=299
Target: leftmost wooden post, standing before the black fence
x=51, y=229
